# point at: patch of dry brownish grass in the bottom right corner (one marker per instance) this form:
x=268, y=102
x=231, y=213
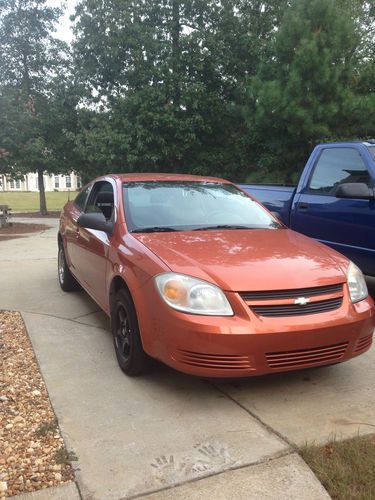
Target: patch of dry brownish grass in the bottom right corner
x=345, y=468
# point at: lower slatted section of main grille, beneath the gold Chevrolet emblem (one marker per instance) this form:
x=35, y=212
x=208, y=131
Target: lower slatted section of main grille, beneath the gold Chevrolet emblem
x=297, y=310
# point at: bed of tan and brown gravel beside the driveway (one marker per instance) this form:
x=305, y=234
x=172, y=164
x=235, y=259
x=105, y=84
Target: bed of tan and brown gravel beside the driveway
x=32, y=451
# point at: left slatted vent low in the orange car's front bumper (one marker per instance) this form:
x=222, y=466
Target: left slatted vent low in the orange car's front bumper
x=213, y=361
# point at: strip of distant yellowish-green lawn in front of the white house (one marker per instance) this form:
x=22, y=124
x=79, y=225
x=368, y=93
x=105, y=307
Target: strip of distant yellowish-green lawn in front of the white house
x=29, y=202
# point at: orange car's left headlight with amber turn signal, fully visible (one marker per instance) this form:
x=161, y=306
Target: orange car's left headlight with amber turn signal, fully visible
x=192, y=295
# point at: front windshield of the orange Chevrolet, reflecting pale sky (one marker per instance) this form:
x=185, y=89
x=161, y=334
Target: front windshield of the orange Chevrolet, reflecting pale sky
x=154, y=206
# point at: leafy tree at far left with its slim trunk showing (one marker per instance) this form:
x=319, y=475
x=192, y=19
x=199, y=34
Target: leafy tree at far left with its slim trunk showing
x=36, y=97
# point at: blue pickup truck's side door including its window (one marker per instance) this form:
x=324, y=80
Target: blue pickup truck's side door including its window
x=348, y=225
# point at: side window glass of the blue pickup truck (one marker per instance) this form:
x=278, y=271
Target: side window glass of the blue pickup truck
x=337, y=166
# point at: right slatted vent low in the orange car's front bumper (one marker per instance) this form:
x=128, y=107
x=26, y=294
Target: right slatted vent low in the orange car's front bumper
x=306, y=357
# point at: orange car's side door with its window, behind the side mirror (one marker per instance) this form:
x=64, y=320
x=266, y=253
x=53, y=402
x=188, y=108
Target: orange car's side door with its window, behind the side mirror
x=92, y=246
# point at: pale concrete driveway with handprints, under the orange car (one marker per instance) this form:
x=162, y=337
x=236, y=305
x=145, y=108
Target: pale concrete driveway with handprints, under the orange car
x=142, y=436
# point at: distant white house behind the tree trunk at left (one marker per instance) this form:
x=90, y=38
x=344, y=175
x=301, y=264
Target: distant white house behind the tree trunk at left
x=69, y=182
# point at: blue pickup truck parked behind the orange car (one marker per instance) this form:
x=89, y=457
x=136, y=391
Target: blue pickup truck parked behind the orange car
x=334, y=201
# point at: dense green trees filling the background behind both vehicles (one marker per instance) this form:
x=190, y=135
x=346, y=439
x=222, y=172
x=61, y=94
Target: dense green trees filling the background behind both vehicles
x=242, y=89
